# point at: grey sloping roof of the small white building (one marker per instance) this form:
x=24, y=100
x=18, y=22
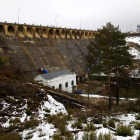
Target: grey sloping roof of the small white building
x=49, y=76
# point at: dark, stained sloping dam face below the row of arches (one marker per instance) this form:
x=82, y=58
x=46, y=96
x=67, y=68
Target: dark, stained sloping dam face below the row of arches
x=50, y=53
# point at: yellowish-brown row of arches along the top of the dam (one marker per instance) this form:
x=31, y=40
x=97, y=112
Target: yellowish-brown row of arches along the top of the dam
x=23, y=30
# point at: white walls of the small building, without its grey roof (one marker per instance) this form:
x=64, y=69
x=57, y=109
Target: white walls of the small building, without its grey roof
x=59, y=80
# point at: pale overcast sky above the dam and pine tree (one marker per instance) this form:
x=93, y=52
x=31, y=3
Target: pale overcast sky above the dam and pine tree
x=89, y=14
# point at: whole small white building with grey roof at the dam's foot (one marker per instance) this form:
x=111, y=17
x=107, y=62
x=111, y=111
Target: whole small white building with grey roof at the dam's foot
x=63, y=79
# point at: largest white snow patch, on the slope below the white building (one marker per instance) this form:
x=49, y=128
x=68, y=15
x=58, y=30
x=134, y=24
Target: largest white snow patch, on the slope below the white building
x=45, y=129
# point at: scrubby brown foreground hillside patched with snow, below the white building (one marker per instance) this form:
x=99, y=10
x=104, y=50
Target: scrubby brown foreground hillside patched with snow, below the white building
x=28, y=111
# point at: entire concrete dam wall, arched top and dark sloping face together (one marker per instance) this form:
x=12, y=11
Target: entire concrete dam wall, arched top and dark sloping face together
x=29, y=47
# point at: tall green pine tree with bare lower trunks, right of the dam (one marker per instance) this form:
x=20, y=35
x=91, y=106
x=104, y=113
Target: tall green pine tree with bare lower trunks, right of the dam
x=110, y=48
